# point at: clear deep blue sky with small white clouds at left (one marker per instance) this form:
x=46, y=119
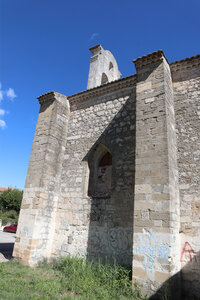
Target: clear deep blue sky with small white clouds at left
x=44, y=46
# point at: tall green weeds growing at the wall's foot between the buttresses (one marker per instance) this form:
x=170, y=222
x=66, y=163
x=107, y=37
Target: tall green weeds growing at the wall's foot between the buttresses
x=95, y=280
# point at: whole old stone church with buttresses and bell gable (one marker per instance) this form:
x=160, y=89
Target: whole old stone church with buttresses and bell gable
x=114, y=173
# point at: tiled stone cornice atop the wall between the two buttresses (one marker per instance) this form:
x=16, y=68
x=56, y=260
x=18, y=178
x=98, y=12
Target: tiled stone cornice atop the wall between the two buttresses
x=103, y=89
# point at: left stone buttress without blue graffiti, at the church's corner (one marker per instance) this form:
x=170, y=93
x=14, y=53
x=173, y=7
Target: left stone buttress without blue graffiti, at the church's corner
x=37, y=216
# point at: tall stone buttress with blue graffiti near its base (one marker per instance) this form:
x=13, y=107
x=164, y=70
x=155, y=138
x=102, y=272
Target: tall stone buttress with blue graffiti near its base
x=156, y=204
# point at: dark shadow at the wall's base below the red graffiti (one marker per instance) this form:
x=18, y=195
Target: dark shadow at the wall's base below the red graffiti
x=185, y=284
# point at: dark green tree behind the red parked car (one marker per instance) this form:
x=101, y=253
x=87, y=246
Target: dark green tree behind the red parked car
x=11, y=200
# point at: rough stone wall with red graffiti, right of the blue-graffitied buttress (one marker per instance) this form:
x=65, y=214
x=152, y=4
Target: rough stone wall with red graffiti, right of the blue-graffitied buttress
x=186, y=82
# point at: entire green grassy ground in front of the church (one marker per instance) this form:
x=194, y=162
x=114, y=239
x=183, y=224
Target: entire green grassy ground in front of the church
x=69, y=278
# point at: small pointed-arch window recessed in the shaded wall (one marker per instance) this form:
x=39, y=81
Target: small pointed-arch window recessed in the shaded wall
x=104, y=174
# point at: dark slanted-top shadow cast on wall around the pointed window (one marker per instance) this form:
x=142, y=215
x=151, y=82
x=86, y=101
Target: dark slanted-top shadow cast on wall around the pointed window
x=111, y=161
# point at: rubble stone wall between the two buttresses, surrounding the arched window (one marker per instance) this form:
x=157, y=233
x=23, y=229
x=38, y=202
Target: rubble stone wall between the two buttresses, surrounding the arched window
x=98, y=226
